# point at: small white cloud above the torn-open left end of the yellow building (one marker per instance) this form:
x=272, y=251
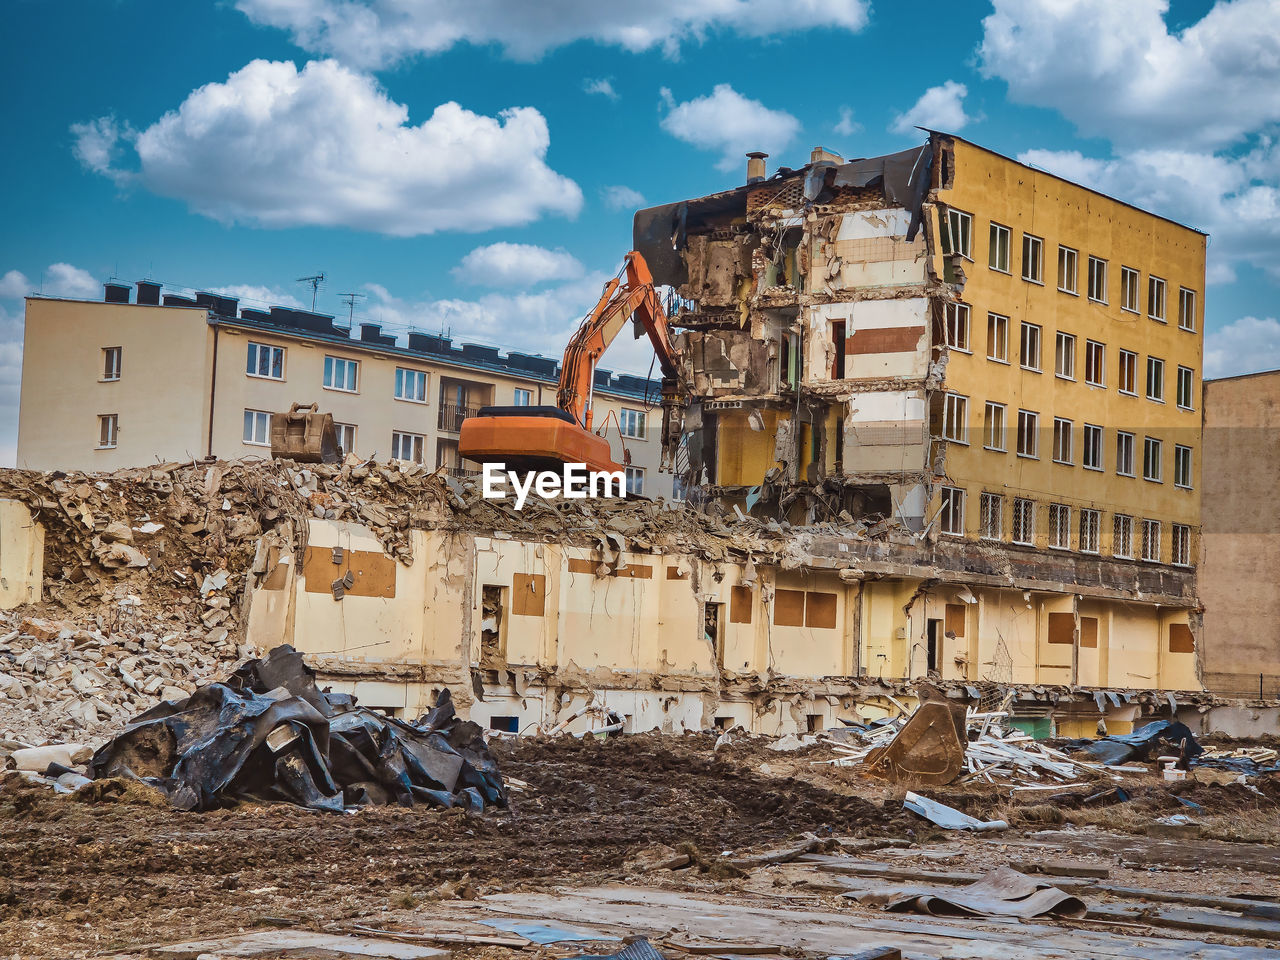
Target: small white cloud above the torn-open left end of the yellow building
x=729, y=124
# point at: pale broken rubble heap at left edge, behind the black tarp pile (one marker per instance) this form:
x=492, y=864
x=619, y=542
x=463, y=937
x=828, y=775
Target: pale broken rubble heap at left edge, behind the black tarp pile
x=85, y=678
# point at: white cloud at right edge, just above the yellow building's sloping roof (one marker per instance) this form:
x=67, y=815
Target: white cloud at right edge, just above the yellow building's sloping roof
x=1236, y=200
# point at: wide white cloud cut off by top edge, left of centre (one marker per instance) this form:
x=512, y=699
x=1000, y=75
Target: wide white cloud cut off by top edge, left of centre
x=381, y=33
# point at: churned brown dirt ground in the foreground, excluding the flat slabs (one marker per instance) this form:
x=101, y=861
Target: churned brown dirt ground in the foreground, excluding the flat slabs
x=83, y=879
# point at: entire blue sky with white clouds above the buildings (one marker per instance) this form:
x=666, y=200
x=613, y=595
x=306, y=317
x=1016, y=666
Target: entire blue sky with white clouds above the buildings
x=476, y=166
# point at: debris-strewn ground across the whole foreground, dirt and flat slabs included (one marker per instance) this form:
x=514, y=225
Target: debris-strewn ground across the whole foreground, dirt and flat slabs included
x=116, y=872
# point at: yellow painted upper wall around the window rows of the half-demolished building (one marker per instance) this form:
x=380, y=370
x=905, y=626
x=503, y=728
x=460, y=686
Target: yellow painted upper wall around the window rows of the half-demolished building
x=994, y=189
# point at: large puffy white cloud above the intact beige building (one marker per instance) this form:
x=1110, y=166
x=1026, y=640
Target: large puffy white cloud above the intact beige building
x=326, y=147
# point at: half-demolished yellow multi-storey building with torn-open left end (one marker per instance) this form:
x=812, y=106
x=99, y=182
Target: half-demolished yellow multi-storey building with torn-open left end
x=993, y=372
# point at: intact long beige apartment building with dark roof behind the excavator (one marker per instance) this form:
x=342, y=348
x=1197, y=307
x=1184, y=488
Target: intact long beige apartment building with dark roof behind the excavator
x=115, y=383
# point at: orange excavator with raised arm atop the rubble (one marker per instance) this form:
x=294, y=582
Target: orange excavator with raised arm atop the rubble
x=541, y=438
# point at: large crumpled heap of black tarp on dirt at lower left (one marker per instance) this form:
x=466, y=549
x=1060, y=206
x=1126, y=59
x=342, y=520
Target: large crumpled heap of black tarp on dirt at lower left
x=271, y=734
